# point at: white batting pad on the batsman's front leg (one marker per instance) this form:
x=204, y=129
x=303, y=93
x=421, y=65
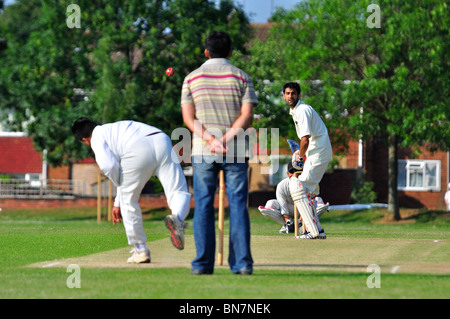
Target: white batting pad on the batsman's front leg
x=304, y=206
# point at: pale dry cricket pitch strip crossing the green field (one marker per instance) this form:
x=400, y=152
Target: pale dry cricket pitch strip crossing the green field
x=286, y=252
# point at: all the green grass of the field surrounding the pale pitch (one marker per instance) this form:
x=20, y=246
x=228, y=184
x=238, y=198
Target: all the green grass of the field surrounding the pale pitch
x=31, y=236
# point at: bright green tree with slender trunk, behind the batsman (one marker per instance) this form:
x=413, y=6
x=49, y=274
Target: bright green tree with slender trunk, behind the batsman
x=397, y=74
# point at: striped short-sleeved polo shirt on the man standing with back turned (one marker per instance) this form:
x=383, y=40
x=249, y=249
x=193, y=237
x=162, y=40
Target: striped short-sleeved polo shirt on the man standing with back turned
x=217, y=89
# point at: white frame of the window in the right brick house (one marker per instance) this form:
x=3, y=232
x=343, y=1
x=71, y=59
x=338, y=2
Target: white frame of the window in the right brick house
x=420, y=166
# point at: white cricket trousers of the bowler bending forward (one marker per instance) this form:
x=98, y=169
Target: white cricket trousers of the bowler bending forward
x=150, y=156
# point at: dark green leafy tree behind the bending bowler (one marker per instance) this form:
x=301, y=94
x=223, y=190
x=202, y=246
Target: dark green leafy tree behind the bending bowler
x=111, y=68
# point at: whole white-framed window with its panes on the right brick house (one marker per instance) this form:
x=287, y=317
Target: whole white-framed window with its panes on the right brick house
x=419, y=175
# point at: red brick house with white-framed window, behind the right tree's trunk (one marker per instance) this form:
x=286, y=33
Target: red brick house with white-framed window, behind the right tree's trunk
x=422, y=179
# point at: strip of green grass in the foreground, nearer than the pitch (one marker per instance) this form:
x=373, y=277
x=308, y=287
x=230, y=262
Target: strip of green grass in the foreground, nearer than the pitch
x=177, y=283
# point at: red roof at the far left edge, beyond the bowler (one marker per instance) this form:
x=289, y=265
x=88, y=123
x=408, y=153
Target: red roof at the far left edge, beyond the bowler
x=18, y=156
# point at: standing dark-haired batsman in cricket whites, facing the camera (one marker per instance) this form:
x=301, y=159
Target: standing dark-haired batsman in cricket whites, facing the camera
x=313, y=157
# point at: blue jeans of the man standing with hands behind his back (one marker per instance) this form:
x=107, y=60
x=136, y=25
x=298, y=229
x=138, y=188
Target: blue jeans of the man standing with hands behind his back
x=205, y=185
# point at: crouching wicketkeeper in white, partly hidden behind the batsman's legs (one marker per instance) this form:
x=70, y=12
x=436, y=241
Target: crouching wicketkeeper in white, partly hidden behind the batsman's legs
x=281, y=209
